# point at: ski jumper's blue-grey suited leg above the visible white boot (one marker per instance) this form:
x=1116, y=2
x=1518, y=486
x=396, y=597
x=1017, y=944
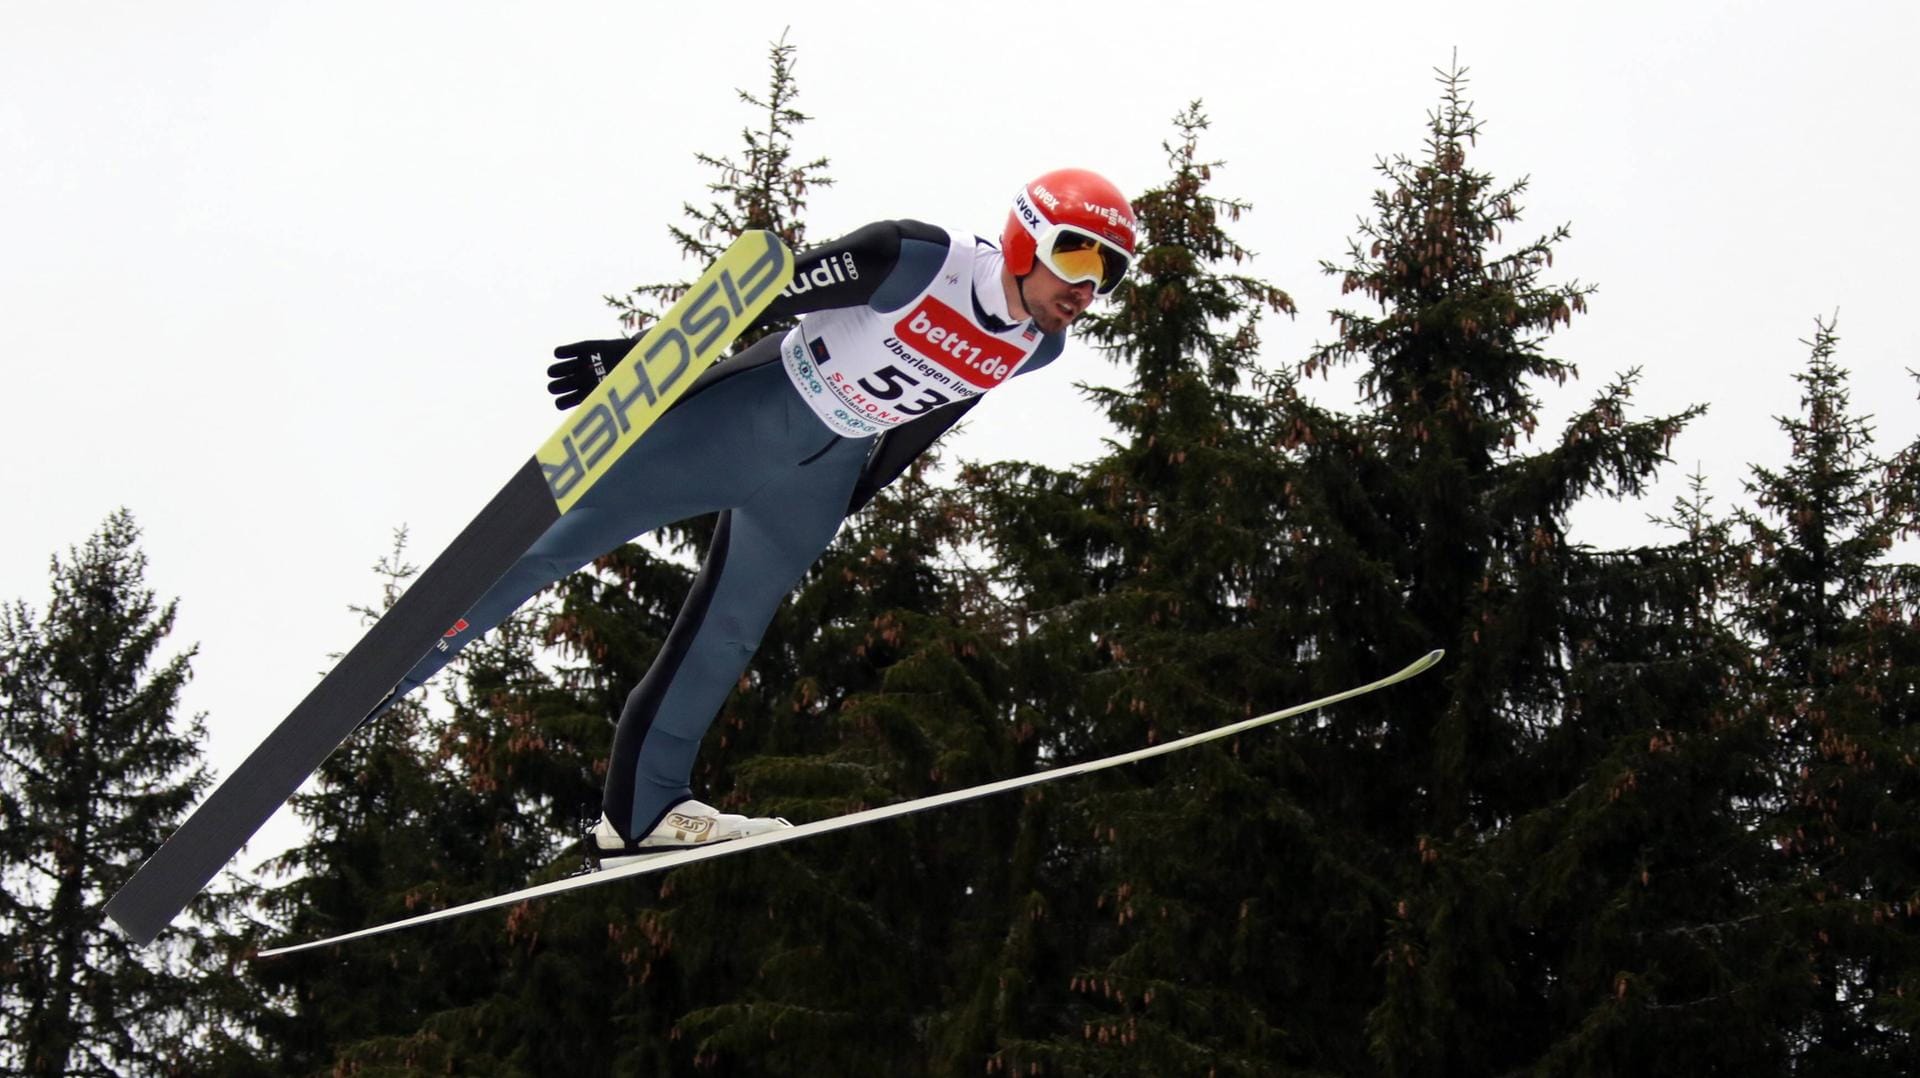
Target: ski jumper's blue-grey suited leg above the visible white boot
x=761, y=551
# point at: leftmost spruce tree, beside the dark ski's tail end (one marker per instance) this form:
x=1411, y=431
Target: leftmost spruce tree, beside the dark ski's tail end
x=95, y=772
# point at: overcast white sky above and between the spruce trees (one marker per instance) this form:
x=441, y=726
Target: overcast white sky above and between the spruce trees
x=281, y=278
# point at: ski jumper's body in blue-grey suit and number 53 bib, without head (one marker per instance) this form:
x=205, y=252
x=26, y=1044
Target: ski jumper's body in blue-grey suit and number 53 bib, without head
x=903, y=330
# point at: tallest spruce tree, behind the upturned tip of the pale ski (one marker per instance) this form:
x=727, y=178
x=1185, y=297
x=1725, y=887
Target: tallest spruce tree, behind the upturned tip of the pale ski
x=1416, y=935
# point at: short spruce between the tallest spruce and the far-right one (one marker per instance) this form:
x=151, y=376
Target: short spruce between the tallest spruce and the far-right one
x=1646, y=879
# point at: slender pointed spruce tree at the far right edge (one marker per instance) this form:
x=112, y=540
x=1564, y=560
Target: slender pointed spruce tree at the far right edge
x=1838, y=679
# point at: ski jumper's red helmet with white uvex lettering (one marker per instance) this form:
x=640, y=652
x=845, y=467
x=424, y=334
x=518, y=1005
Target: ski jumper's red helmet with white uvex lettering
x=1074, y=222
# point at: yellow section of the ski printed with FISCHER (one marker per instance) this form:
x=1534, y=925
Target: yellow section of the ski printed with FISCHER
x=663, y=364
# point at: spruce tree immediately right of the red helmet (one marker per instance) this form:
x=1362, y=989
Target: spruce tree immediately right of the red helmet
x=1136, y=618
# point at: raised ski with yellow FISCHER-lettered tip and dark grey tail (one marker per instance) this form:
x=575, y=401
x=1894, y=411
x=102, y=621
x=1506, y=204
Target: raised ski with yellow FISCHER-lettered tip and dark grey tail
x=636, y=391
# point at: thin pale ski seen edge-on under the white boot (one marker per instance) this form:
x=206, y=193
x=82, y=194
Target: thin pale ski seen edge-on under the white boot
x=663, y=862
